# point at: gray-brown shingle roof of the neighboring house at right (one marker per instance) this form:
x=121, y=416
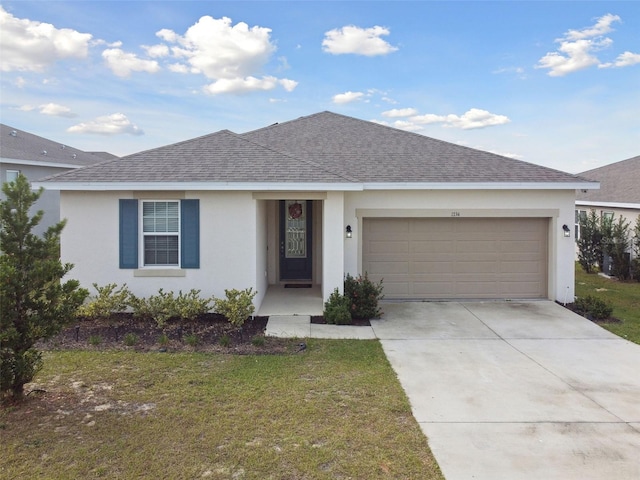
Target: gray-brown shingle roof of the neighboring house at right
x=619, y=183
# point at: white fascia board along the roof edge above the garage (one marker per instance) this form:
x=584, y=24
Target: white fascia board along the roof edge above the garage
x=484, y=186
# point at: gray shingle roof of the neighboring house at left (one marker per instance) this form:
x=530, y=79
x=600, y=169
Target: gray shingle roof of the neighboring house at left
x=27, y=146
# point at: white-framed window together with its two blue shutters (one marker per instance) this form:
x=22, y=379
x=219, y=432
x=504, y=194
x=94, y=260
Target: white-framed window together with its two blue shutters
x=159, y=233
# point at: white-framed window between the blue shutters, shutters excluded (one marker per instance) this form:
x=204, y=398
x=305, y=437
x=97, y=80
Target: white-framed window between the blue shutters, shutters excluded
x=161, y=233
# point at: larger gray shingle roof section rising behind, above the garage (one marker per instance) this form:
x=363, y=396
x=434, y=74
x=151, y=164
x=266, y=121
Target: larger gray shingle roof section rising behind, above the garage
x=375, y=153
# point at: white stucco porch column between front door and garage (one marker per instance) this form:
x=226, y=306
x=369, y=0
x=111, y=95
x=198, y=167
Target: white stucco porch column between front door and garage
x=332, y=243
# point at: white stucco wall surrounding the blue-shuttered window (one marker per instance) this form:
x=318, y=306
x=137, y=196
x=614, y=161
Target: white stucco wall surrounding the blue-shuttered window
x=228, y=239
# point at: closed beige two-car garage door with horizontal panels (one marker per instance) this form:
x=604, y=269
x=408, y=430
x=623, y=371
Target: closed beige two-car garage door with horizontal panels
x=457, y=257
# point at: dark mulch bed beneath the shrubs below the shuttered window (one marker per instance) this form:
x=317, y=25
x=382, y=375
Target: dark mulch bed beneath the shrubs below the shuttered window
x=211, y=332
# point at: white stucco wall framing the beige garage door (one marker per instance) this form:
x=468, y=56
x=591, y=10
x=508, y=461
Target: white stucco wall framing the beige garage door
x=556, y=205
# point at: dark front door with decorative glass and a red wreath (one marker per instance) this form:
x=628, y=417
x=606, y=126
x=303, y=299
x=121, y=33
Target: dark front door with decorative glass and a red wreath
x=295, y=240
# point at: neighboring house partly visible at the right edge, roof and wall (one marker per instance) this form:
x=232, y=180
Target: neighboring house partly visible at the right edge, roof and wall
x=619, y=193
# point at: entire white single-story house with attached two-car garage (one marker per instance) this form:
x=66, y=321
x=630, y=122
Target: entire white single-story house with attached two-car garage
x=313, y=199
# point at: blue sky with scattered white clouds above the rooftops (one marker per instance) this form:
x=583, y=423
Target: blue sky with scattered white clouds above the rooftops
x=551, y=83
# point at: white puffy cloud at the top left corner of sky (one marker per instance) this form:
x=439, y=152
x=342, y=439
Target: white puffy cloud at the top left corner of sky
x=29, y=45
